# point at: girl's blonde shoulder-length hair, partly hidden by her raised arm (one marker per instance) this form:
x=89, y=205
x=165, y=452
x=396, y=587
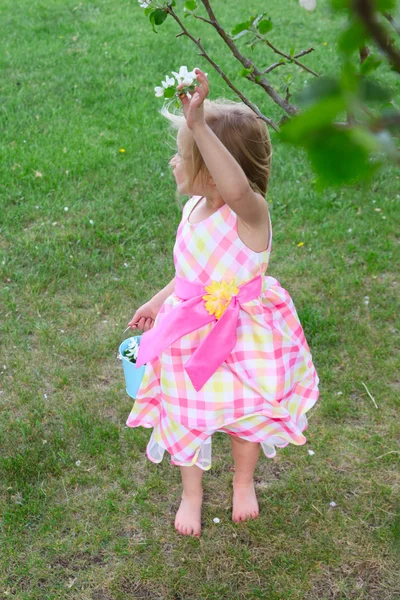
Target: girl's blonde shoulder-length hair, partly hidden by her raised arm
x=240, y=130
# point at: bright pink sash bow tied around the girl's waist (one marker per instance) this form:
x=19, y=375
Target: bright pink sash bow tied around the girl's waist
x=190, y=315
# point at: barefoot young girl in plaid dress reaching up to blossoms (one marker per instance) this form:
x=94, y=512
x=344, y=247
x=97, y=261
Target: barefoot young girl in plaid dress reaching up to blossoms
x=223, y=345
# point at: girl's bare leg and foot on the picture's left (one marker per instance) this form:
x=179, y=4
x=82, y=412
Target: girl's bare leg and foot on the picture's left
x=188, y=517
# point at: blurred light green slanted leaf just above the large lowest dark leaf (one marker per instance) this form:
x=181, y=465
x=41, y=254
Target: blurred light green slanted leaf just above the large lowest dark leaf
x=308, y=123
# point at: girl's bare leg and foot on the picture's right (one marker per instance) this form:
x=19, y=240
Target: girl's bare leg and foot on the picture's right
x=245, y=455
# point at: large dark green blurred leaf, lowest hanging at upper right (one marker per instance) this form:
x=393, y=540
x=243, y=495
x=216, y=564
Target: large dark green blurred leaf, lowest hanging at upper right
x=340, y=157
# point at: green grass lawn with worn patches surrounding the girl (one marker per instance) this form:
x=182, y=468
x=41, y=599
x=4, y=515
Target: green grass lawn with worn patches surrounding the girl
x=87, y=233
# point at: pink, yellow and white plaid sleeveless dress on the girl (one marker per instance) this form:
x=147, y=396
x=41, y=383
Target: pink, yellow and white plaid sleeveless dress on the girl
x=264, y=388
